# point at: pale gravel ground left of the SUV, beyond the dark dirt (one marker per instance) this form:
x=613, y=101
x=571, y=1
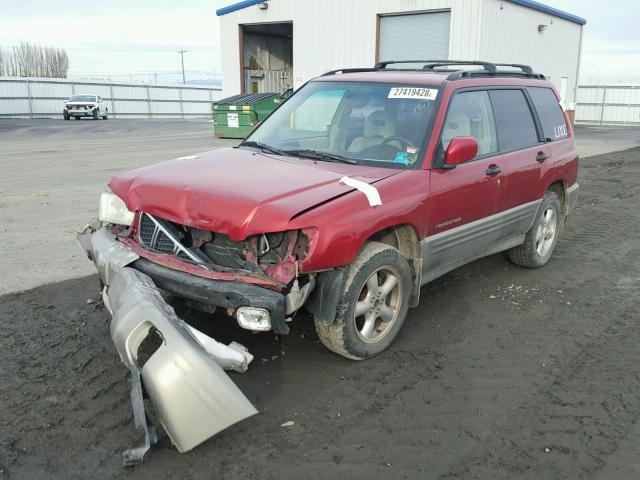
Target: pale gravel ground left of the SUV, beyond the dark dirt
x=52, y=174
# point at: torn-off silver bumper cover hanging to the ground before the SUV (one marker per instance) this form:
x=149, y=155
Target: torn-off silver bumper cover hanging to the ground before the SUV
x=183, y=374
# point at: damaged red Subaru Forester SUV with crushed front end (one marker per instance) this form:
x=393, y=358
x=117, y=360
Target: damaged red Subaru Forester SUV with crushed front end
x=359, y=189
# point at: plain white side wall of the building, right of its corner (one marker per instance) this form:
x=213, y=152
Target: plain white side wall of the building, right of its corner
x=509, y=34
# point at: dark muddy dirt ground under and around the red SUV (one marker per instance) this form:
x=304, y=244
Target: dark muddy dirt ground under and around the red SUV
x=500, y=373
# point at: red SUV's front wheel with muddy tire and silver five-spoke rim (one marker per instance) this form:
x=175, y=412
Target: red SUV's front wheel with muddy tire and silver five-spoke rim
x=372, y=332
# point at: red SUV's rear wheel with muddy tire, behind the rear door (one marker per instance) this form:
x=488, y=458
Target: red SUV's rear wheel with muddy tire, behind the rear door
x=541, y=239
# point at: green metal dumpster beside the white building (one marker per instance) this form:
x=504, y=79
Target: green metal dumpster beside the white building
x=235, y=117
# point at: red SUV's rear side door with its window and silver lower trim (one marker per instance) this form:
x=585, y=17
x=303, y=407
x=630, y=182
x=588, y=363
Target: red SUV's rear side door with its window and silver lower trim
x=522, y=149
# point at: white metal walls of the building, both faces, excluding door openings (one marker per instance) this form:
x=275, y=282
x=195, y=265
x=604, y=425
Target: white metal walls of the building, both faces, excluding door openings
x=330, y=34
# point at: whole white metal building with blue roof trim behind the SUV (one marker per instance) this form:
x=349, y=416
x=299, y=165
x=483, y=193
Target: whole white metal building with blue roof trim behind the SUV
x=271, y=45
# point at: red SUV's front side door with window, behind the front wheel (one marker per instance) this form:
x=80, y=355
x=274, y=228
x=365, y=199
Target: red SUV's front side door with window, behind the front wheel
x=466, y=200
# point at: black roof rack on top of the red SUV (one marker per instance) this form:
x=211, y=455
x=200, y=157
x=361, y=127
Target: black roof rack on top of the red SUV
x=488, y=69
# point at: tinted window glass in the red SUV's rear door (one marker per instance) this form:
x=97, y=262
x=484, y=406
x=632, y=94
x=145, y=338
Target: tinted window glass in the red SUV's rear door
x=514, y=122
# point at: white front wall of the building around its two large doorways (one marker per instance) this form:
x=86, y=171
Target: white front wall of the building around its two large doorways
x=330, y=34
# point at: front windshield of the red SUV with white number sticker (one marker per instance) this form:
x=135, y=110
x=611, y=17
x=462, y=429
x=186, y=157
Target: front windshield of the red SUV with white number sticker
x=369, y=123
